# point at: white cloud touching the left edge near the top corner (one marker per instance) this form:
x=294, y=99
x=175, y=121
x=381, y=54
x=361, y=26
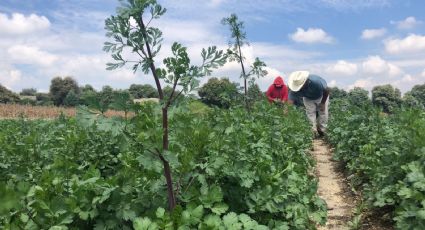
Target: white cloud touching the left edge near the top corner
x=20, y=24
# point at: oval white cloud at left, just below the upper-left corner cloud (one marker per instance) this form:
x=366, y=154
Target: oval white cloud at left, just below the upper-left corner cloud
x=31, y=55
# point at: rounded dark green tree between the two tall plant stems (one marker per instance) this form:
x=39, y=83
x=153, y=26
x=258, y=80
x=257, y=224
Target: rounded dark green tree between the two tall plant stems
x=219, y=92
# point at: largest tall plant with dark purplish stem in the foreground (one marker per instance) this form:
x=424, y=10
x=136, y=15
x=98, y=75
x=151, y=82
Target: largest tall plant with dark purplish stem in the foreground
x=145, y=41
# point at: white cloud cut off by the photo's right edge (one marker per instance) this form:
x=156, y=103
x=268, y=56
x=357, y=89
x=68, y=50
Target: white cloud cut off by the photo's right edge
x=410, y=44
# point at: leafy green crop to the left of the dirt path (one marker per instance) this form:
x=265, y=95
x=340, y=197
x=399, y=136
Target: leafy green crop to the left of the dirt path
x=232, y=171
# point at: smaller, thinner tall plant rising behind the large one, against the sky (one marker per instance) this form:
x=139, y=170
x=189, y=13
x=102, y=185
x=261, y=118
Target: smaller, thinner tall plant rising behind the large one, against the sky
x=235, y=51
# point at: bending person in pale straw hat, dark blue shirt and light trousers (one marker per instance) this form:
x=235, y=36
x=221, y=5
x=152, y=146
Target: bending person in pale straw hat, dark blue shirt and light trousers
x=315, y=94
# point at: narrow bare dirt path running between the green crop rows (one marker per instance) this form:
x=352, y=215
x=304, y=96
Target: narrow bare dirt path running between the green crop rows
x=332, y=188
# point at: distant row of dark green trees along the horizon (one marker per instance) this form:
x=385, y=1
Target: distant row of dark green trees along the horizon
x=220, y=92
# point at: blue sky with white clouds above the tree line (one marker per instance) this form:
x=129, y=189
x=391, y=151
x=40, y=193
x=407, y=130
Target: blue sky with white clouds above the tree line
x=348, y=42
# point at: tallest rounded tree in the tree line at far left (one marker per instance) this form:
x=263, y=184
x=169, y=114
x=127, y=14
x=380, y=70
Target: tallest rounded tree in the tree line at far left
x=60, y=87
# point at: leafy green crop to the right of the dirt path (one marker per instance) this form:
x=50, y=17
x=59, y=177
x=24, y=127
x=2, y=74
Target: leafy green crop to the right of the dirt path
x=385, y=154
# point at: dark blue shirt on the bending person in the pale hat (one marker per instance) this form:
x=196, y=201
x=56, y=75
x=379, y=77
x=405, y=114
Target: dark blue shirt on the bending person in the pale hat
x=313, y=89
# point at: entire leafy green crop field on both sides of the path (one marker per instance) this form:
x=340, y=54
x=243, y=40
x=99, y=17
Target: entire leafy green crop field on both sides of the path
x=231, y=169
